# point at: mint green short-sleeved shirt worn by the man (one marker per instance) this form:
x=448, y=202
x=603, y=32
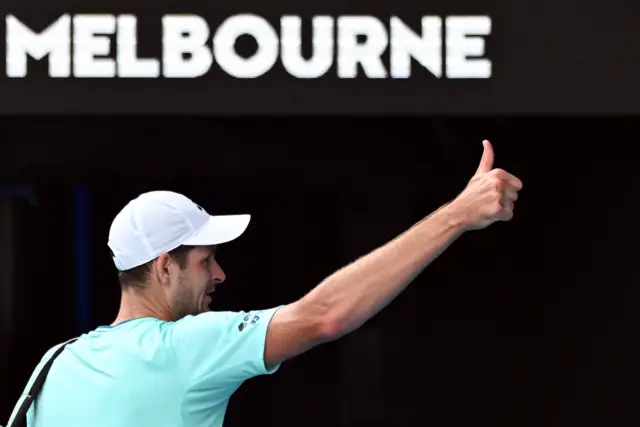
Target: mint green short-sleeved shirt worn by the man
x=150, y=373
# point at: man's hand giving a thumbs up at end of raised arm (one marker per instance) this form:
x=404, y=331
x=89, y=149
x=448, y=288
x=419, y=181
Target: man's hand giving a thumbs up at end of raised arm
x=489, y=196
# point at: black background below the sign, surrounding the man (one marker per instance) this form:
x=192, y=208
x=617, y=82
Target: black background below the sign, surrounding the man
x=527, y=323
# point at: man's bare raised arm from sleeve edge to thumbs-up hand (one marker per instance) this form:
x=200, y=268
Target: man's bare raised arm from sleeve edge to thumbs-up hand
x=355, y=293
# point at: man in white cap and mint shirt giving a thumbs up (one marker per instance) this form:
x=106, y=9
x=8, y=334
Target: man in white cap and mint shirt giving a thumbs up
x=167, y=361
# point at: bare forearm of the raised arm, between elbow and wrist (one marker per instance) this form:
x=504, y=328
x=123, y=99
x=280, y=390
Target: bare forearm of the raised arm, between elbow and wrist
x=354, y=294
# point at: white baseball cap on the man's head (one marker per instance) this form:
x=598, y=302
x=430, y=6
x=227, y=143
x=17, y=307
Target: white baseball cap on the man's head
x=161, y=221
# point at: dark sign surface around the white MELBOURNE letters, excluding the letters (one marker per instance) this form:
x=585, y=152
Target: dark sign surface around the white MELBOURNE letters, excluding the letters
x=550, y=57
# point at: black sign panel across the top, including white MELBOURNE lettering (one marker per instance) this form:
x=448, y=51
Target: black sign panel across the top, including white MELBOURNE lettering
x=333, y=57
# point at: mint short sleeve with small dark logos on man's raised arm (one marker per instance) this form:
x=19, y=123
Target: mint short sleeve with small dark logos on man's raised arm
x=219, y=349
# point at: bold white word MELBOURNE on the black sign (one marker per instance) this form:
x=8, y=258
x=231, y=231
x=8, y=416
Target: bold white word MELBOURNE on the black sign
x=81, y=45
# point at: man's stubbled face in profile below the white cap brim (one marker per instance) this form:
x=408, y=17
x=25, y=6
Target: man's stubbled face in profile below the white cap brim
x=196, y=282
